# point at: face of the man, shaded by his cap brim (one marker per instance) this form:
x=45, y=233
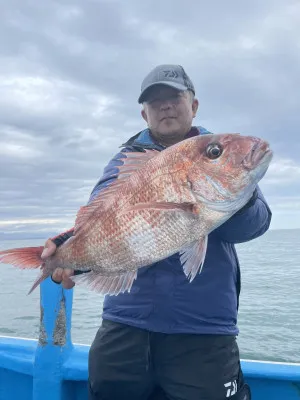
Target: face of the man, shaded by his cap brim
x=169, y=113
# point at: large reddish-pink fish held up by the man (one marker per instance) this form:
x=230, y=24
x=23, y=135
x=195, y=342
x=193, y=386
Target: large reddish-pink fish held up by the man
x=162, y=203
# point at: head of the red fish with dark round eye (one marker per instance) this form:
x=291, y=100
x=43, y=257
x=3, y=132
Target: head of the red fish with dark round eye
x=226, y=168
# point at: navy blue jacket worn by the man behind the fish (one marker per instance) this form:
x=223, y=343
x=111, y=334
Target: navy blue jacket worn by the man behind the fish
x=162, y=299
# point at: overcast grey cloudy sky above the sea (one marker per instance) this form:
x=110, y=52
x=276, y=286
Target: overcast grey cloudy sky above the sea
x=70, y=78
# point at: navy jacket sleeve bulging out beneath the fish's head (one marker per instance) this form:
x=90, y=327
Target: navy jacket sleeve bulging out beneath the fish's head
x=252, y=221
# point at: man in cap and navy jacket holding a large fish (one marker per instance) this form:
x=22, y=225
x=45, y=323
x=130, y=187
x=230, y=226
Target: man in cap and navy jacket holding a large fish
x=168, y=338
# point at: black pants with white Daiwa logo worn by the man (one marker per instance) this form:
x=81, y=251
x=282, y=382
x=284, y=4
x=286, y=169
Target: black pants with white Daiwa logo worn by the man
x=127, y=363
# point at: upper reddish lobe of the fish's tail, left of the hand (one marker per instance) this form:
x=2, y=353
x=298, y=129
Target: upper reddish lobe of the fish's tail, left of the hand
x=26, y=257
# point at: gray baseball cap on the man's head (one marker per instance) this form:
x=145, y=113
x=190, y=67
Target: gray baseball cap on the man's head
x=169, y=75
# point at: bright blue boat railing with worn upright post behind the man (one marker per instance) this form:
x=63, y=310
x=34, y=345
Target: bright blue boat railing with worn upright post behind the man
x=53, y=367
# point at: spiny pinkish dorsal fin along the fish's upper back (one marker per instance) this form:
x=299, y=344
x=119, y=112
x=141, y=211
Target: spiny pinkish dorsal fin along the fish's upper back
x=133, y=162
